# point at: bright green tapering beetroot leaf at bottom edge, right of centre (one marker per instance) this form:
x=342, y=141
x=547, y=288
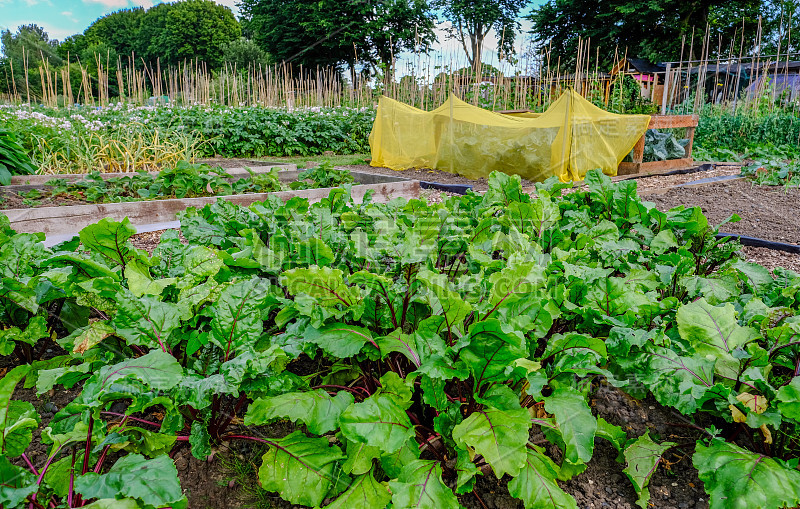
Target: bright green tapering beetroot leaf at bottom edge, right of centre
x=536, y=484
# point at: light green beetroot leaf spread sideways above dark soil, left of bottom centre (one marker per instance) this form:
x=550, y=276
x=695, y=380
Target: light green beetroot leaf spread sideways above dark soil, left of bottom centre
x=318, y=410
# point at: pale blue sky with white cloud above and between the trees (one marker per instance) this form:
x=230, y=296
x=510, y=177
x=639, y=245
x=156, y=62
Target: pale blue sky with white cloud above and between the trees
x=62, y=18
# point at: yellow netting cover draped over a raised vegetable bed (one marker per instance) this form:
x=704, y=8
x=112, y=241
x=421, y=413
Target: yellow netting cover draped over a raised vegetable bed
x=572, y=137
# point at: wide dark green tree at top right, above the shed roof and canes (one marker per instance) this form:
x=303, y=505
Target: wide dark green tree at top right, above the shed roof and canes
x=653, y=29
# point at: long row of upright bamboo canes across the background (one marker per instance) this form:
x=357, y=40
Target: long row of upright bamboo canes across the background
x=426, y=82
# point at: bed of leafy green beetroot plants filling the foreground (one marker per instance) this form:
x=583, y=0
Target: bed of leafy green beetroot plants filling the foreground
x=414, y=346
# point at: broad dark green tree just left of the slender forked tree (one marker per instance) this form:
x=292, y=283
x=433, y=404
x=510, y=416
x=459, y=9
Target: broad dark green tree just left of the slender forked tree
x=338, y=33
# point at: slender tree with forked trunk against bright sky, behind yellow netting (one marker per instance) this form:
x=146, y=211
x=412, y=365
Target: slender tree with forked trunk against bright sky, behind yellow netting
x=472, y=20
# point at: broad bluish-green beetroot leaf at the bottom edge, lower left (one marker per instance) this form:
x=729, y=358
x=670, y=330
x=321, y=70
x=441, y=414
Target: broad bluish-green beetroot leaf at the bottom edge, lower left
x=154, y=482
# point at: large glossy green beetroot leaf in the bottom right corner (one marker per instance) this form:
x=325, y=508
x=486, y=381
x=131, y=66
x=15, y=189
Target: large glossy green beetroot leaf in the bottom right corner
x=735, y=478
